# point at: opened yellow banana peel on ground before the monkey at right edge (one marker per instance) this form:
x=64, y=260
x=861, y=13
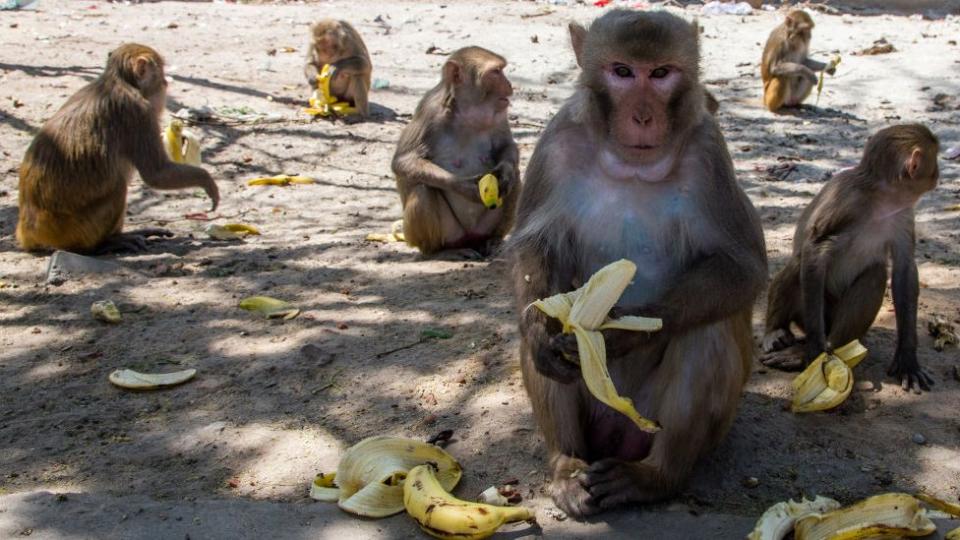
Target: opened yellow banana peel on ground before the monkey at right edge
x=828, y=380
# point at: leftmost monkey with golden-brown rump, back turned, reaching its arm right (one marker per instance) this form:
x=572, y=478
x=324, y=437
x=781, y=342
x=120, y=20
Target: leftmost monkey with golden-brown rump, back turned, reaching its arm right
x=74, y=176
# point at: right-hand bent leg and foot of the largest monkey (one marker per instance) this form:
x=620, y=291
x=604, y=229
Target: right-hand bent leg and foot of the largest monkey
x=695, y=391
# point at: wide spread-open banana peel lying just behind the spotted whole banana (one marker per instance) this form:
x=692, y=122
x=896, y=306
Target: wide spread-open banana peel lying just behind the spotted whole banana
x=371, y=474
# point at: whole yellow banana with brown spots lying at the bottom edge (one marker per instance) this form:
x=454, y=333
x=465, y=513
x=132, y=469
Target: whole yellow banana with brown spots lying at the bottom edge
x=442, y=515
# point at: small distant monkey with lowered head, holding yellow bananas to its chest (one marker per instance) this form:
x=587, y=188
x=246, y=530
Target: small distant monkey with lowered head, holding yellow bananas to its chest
x=337, y=43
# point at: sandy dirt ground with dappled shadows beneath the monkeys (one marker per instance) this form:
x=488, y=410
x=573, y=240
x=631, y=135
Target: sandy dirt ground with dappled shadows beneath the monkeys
x=263, y=415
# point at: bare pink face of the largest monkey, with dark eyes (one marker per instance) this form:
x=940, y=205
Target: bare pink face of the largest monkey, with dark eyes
x=640, y=93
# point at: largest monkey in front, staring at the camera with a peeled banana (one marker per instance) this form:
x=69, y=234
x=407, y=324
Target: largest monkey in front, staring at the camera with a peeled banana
x=633, y=166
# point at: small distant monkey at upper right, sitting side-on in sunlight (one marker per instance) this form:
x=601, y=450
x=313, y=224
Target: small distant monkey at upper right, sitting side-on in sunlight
x=788, y=74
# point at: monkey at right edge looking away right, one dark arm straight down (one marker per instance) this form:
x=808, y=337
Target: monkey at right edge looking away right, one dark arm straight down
x=832, y=287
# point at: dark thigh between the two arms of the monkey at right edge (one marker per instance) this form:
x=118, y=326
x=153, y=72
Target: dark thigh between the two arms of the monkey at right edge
x=850, y=316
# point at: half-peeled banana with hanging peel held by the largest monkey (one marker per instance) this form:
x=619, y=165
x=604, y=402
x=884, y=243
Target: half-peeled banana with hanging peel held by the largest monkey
x=585, y=312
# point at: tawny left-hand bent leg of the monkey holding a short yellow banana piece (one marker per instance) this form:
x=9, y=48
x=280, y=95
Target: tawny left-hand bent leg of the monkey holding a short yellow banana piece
x=428, y=221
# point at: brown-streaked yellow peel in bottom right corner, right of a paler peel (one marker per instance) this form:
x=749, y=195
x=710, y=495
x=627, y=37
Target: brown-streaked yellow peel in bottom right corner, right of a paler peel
x=891, y=514
